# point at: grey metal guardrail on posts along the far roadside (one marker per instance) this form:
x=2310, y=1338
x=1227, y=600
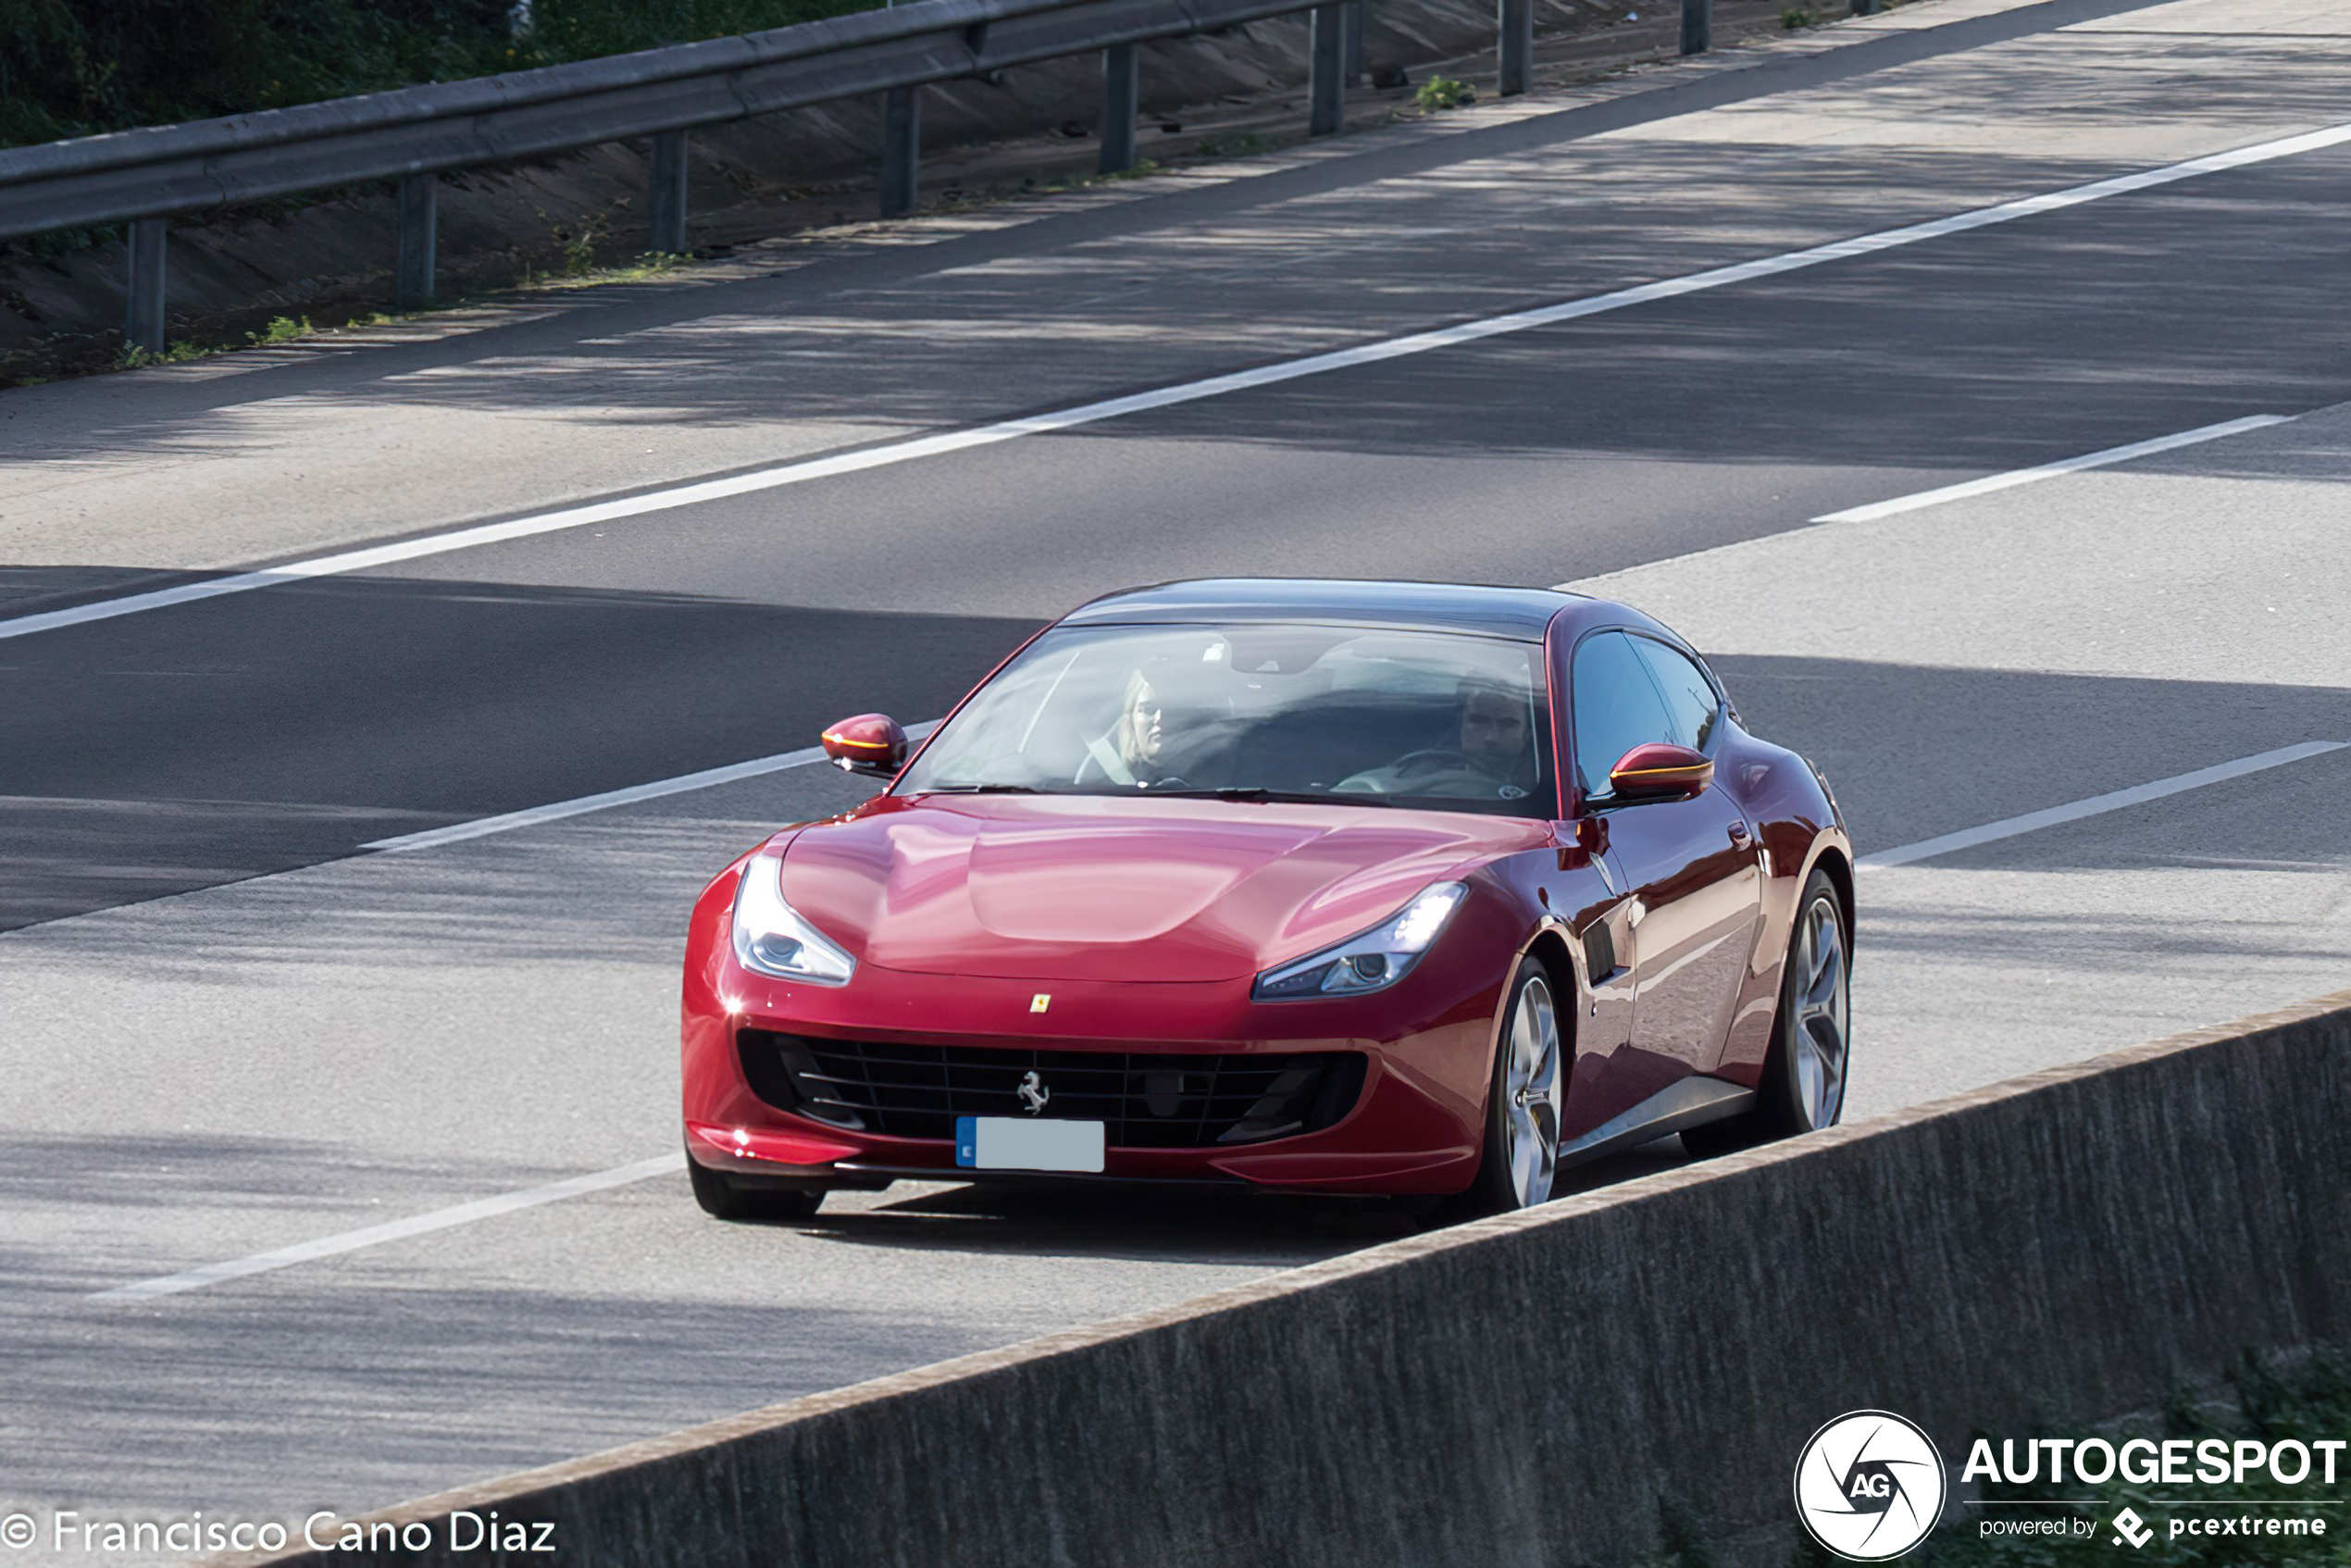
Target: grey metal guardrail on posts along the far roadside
x=413, y=135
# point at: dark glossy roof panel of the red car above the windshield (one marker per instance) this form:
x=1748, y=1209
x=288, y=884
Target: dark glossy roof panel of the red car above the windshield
x=1424, y=608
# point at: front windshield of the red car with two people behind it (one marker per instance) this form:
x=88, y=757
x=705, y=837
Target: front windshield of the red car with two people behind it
x=1369, y=718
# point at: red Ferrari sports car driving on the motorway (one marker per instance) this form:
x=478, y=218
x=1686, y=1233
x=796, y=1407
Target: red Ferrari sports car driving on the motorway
x=1304, y=885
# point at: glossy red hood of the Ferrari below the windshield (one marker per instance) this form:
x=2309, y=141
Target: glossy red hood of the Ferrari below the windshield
x=1120, y=890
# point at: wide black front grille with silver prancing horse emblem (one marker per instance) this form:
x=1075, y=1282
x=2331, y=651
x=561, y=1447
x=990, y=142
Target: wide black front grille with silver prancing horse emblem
x=1146, y=1101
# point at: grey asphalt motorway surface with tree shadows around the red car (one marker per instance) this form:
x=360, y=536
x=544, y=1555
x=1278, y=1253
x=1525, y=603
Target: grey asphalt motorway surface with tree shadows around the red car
x=229, y=1033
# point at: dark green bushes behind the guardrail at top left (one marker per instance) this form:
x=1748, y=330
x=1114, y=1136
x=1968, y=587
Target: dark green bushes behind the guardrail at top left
x=79, y=67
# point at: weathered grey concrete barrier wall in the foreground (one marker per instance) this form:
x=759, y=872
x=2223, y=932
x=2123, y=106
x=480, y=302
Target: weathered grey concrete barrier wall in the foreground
x=1525, y=1391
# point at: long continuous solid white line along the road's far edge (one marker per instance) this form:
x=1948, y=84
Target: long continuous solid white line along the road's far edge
x=1191, y=391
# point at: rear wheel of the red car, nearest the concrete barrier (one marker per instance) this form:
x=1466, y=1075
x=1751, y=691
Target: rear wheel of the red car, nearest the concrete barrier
x=1804, y=1076
